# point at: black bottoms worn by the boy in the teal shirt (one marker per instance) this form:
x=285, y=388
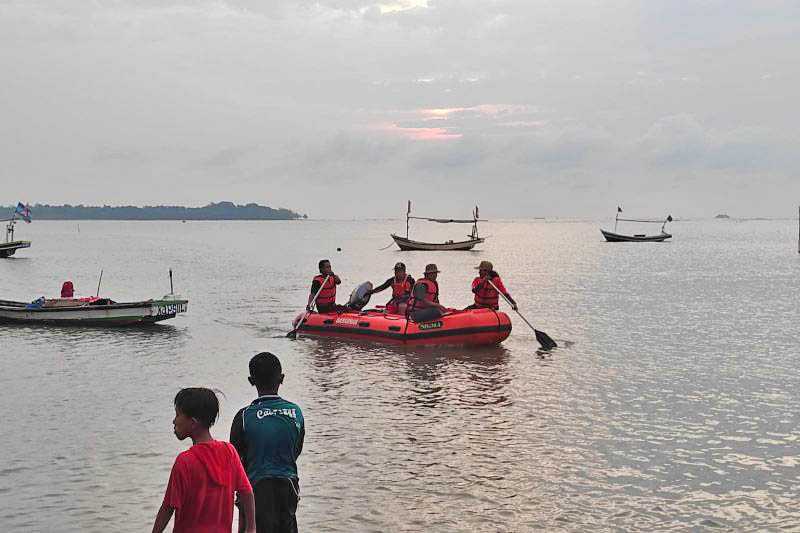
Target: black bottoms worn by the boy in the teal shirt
x=276, y=505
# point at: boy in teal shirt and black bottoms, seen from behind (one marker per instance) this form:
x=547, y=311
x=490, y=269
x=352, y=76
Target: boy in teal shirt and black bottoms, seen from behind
x=268, y=435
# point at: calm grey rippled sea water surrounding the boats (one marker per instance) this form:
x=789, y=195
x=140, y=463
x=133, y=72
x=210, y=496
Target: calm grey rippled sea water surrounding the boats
x=671, y=405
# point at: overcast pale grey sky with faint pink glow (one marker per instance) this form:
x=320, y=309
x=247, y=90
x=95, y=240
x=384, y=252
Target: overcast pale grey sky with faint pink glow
x=348, y=108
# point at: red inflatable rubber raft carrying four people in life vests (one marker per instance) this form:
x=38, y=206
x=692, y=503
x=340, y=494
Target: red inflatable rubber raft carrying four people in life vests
x=469, y=327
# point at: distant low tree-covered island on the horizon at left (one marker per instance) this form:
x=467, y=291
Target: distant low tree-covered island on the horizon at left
x=213, y=211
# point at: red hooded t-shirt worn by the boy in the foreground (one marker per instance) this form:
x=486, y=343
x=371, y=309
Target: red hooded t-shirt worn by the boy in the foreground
x=201, y=487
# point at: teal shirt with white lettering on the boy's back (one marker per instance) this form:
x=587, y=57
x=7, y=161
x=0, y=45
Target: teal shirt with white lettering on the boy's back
x=268, y=435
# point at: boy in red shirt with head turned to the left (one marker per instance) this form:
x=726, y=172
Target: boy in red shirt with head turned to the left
x=204, y=478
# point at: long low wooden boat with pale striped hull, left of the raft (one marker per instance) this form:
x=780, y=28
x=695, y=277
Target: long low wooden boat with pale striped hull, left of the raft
x=92, y=311
